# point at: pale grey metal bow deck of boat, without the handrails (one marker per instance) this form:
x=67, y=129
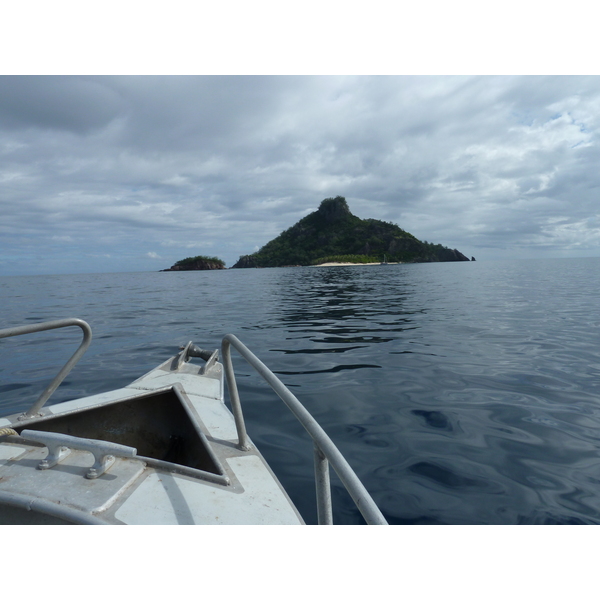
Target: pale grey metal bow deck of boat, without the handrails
x=188, y=468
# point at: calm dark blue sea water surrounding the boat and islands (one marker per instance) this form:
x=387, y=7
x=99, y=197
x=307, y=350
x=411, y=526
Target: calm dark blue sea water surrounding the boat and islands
x=461, y=393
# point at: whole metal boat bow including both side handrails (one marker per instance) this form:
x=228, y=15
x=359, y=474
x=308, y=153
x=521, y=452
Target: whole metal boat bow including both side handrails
x=163, y=450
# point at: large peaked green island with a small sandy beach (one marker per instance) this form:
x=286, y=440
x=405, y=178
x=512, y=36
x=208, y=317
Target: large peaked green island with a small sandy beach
x=332, y=234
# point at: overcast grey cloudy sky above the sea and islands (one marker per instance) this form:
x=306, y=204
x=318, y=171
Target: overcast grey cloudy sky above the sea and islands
x=119, y=173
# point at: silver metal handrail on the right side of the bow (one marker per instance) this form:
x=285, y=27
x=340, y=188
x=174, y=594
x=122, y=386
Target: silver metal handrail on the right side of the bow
x=324, y=449
